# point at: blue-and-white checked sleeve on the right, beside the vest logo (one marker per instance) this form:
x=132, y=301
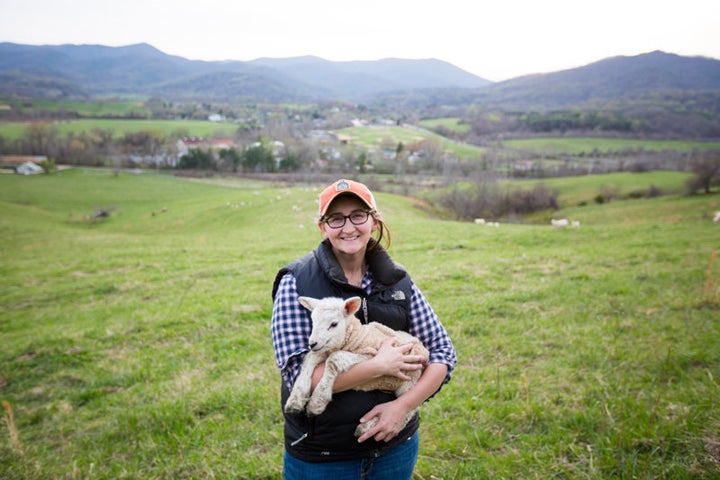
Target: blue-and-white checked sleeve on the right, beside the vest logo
x=426, y=326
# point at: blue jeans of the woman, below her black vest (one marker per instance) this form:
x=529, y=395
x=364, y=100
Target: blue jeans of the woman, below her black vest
x=397, y=464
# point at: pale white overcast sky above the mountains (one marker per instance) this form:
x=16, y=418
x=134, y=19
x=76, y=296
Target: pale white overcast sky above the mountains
x=496, y=40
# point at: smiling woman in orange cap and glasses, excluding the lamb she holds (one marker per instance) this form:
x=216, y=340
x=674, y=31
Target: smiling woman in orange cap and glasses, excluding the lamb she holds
x=349, y=262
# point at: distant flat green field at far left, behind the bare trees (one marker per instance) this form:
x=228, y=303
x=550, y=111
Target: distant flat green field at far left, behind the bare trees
x=200, y=128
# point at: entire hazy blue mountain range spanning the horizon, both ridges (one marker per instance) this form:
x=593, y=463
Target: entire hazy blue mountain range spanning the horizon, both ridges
x=87, y=71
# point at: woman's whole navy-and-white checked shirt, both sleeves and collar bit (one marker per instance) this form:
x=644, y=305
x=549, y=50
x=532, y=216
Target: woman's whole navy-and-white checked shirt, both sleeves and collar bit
x=291, y=328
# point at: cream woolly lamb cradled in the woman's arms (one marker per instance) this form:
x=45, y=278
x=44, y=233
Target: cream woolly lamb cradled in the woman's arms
x=339, y=339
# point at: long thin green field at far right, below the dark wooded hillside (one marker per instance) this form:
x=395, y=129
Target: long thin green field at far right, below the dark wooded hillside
x=587, y=145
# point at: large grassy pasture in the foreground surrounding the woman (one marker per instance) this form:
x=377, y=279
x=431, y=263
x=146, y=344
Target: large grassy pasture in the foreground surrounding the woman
x=138, y=346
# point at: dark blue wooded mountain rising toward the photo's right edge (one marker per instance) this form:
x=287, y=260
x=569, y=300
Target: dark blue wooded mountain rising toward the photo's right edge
x=644, y=78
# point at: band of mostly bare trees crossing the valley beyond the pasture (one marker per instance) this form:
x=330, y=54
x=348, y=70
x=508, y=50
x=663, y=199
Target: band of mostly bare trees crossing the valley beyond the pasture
x=256, y=153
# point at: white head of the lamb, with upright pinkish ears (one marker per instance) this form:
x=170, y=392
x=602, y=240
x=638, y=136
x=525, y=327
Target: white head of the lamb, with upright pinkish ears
x=329, y=316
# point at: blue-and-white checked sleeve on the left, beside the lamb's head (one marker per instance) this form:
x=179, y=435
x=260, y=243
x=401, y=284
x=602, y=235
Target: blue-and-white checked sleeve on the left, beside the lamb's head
x=290, y=329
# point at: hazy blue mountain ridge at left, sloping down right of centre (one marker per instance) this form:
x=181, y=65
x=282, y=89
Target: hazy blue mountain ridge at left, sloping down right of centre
x=89, y=70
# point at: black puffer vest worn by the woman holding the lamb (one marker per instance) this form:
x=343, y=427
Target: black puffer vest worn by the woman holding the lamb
x=330, y=436
